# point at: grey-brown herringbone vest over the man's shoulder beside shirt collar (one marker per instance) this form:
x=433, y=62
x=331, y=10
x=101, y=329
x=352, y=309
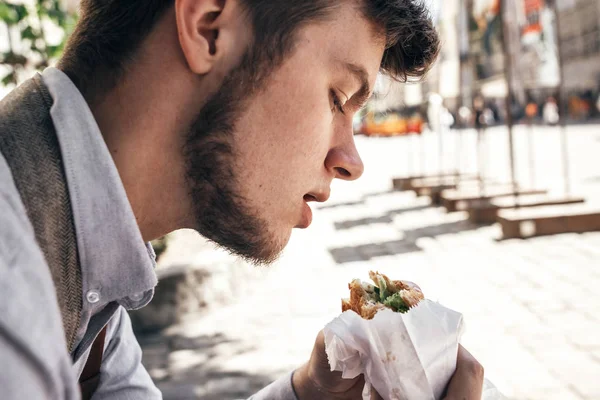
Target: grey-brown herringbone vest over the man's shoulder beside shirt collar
x=29, y=144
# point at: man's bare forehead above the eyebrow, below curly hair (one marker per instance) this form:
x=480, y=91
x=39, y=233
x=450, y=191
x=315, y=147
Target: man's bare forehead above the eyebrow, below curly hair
x=346, y=37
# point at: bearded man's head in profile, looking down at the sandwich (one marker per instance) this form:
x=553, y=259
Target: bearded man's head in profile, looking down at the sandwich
x=258, y=103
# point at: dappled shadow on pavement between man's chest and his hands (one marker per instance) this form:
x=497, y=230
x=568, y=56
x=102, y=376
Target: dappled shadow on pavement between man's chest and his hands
x=187, y=368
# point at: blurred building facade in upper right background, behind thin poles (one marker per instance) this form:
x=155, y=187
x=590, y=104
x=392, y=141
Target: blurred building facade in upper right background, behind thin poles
x=474, y=55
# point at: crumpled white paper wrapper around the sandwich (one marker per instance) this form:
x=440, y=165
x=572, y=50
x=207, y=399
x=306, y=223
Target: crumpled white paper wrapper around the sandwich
x=402, y=356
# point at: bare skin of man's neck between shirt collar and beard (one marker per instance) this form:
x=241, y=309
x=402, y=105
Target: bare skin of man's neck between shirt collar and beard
x=143, y=121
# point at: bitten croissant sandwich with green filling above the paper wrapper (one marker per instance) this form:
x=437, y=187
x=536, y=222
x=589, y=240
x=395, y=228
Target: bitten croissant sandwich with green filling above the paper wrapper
x=366, y=299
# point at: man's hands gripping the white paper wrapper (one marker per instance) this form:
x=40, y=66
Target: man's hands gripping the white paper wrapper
x=315, y=380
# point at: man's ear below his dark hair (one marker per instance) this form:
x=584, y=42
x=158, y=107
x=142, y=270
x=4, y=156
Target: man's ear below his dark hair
x=198, y=30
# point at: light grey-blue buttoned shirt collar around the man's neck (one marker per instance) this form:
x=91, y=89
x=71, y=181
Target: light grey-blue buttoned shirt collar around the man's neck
x=116, y=264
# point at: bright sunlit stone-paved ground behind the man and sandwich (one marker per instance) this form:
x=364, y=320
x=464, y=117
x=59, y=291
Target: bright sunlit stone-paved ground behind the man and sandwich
x=532, y=308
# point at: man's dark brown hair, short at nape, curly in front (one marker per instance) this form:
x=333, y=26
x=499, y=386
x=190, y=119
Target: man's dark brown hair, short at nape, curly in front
x=110, y=31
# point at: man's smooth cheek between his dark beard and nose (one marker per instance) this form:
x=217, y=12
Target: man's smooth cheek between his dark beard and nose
x=282, y=140
